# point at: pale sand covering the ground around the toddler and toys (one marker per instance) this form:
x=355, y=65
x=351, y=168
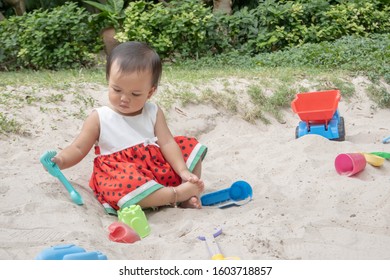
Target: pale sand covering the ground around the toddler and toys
x=301, y=207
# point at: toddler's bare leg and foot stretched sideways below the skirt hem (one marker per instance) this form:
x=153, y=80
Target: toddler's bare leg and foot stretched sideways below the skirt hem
x=167, y=195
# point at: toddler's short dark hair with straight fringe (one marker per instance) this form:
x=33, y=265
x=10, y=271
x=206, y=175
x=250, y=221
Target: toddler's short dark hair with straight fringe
x=135, y=56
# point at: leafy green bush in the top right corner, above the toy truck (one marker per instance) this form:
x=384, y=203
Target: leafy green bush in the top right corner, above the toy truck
x=290, y=23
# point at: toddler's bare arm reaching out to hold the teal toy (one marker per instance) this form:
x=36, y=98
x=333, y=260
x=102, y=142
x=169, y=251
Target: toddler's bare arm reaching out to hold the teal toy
x=83, y=143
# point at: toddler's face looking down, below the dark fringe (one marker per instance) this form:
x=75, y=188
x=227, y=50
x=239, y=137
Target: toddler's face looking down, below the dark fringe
x=128, y=92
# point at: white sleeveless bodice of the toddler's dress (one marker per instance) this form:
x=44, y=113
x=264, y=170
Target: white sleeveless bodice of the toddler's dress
x=118, y=132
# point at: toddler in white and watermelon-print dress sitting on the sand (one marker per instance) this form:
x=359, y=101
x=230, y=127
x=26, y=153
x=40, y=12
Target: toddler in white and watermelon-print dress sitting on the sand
x=138, y=160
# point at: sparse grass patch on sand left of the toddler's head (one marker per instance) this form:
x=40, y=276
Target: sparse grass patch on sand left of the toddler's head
x=47, y=90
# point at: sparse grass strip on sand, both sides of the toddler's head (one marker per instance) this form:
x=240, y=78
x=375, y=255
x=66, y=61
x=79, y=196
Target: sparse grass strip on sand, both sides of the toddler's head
x=268, y=90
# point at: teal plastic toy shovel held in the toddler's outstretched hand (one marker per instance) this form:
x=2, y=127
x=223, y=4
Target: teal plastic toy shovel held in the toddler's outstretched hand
x=54, y=170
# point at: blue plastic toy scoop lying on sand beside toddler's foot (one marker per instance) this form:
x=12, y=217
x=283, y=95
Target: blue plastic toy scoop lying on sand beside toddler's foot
x=238, y=194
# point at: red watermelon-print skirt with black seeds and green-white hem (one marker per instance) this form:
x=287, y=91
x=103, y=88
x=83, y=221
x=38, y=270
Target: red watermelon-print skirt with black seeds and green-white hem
x=126, y=177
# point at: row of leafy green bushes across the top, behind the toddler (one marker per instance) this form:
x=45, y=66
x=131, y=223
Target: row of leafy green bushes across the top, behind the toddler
x=64, y=34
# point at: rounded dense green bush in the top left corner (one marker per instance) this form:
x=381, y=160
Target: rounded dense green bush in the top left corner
x=52, y=39
